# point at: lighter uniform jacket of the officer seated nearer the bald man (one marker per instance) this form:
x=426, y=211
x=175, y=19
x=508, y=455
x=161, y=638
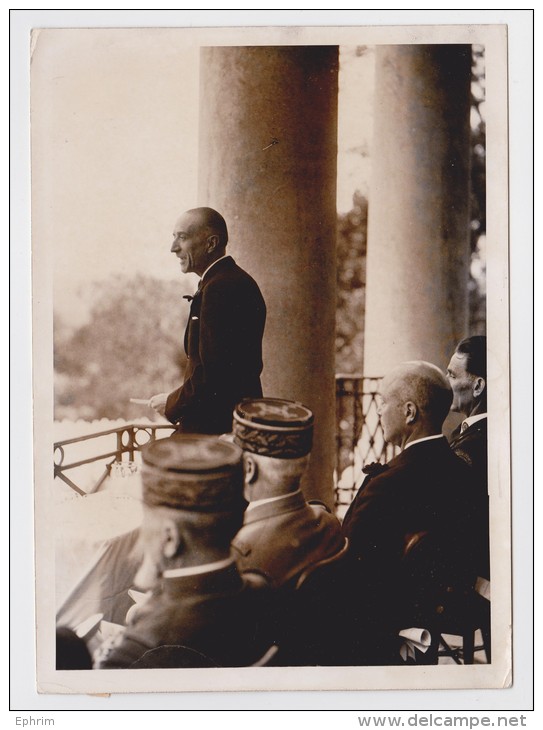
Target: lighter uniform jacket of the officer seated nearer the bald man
x=282, y=539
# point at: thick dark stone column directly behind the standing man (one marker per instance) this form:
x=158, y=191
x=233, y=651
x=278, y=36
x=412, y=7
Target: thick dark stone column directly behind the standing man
x=267, y=162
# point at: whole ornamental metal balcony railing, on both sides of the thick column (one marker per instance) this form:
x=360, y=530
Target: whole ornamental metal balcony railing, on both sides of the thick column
x=359, y=441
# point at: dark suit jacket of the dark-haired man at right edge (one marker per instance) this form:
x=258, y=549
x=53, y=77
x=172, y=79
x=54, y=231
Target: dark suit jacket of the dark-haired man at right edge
x=471, y=446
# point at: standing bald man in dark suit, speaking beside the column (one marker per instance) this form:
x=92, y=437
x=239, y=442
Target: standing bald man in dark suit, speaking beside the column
x=223, y=338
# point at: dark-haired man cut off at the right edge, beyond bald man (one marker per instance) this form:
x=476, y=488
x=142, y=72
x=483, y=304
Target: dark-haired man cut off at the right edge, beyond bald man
x=467, y=375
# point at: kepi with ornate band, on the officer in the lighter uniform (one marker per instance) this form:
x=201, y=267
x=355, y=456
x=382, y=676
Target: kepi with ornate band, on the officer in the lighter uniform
x=273, y=427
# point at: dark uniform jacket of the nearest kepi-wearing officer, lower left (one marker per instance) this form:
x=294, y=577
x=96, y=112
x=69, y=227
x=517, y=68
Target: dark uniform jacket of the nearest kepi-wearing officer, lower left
x=214, y=616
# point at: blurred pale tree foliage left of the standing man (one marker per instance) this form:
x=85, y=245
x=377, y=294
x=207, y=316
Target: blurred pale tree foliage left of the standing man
x=131, y=347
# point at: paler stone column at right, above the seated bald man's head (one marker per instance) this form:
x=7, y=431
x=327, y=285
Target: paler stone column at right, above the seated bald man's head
x=418, y=229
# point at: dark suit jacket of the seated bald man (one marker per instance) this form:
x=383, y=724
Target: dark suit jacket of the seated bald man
x=422, y=497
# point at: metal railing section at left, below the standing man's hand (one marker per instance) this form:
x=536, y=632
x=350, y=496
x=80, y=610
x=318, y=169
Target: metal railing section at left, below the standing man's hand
x=124, y=441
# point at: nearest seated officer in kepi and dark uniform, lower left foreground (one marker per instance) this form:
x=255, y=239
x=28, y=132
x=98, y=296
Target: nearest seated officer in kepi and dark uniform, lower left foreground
x=200, y=612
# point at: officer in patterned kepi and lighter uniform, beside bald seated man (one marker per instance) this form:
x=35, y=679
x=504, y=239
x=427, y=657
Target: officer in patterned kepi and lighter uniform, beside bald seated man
x=282, y=535
